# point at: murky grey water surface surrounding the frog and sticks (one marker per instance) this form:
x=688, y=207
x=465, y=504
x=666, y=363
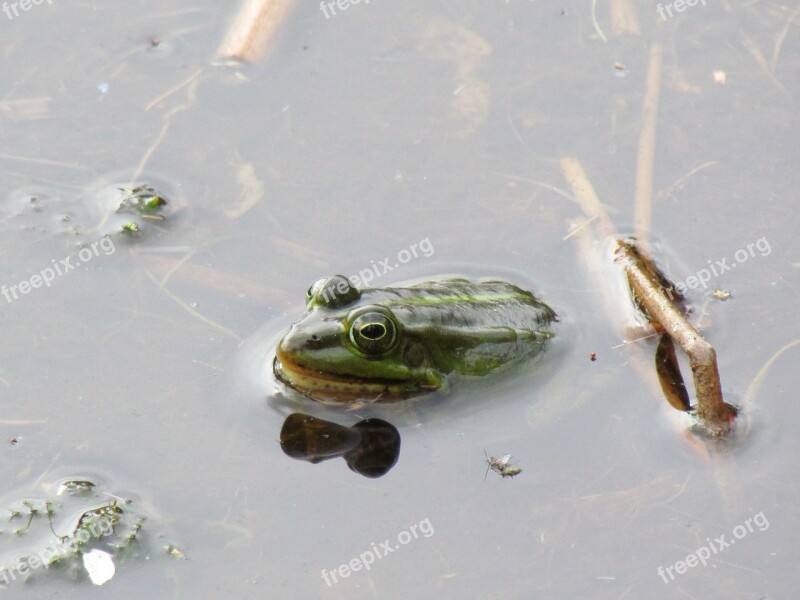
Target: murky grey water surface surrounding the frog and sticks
x=365, y=134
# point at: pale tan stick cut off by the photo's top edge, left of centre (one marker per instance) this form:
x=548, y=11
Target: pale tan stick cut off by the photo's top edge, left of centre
x=256, y=23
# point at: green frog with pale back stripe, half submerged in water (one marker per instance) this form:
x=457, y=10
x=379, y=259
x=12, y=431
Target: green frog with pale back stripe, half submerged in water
x=375, y=345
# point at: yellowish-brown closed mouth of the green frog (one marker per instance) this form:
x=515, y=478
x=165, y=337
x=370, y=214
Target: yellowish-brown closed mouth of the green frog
x=336, y=388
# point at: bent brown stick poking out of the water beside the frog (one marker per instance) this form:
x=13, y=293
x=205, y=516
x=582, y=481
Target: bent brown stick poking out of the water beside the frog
x=715, y=414
